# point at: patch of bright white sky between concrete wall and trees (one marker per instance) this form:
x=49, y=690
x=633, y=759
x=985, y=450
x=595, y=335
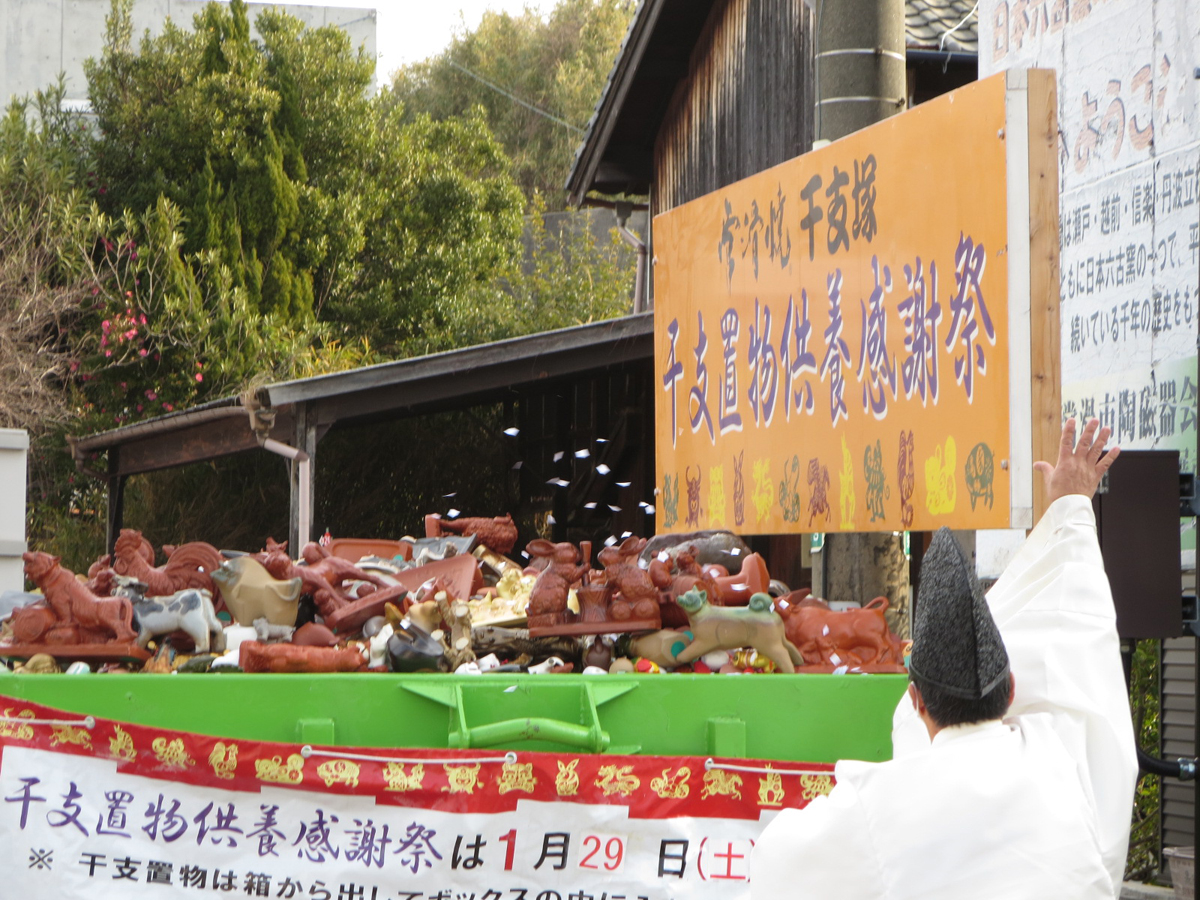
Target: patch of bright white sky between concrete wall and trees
x=412, y=31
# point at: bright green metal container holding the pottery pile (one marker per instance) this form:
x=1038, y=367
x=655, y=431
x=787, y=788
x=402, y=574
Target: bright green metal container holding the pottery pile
x=793, y=718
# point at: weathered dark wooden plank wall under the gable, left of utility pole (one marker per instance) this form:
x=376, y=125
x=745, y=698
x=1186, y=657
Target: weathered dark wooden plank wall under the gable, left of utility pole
x=747, y=103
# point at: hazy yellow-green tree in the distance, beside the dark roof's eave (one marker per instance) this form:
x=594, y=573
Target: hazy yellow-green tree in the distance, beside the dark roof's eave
x=559, y=64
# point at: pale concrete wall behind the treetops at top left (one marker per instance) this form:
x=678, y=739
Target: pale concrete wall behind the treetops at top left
x=44, y=38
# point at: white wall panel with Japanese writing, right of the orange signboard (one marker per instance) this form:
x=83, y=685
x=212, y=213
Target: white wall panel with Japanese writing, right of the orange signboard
x=1130, y=161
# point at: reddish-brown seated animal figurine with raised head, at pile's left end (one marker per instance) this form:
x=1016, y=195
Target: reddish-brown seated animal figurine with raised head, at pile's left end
x=79, y=615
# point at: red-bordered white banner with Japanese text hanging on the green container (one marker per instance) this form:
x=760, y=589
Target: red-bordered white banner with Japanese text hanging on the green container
x=110, y=809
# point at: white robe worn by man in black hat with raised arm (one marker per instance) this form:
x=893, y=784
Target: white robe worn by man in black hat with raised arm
x=1037, y=806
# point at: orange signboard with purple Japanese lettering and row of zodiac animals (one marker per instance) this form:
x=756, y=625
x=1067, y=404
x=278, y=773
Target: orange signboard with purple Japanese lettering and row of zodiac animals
x=833, y=335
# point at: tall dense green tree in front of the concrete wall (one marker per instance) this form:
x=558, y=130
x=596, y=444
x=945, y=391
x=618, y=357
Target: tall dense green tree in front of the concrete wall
x=251, y=141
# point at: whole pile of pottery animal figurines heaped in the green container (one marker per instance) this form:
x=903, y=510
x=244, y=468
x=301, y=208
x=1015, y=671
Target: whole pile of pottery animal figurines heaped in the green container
x=452, y=602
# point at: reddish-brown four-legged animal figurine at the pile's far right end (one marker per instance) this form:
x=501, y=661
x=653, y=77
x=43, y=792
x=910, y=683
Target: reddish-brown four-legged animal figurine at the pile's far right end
x=851, y=638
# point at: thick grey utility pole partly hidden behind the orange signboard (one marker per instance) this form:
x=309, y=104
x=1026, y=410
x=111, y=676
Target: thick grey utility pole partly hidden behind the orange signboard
x=861, y=80
